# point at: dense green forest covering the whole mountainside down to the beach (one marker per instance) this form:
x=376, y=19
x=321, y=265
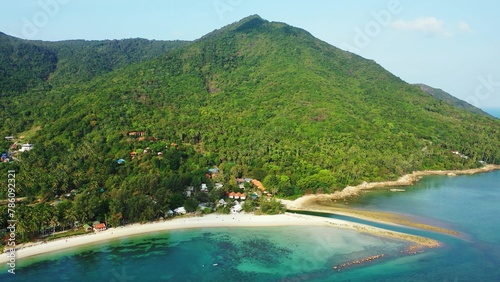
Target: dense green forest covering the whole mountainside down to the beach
x=120, y=129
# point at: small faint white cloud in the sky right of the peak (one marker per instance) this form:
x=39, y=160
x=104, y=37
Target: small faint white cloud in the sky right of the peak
x=429, y=25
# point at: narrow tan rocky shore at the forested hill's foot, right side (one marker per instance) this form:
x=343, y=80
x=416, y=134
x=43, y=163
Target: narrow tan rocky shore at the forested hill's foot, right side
x=306, y=201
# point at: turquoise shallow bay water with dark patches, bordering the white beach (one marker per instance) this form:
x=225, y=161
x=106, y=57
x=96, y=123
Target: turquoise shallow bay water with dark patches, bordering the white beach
x=243, y=254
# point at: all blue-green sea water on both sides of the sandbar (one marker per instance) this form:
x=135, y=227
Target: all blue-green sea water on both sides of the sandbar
x=467, y=204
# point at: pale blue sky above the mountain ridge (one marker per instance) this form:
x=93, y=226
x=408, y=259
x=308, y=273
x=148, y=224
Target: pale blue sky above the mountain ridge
x=452, y=45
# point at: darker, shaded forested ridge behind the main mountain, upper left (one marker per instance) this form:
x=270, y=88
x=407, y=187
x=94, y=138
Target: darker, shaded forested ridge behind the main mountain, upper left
x=25, y=65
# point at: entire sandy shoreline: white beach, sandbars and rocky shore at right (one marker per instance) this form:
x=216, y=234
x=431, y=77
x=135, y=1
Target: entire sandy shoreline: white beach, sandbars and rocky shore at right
x=313, y=203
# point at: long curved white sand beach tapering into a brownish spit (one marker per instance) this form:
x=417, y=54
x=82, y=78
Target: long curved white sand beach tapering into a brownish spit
x=213, y=221
